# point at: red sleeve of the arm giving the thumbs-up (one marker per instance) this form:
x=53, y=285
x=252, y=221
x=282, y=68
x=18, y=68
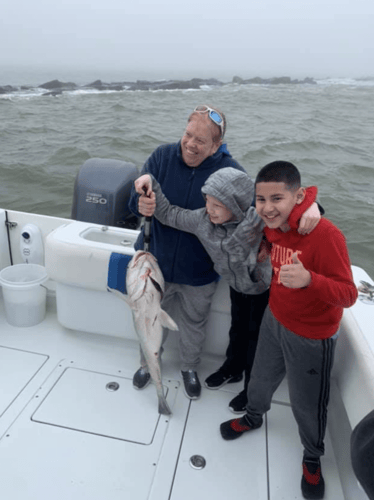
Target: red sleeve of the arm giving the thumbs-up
x=331, y=276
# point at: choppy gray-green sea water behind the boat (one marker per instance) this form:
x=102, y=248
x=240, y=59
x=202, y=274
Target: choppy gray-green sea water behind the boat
x=326, y=129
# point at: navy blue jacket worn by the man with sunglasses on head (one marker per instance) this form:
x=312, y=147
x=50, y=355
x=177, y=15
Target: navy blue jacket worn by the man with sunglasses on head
x=181, y=256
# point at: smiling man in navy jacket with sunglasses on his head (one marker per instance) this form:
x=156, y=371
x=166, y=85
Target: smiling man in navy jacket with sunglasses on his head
x=182, y=169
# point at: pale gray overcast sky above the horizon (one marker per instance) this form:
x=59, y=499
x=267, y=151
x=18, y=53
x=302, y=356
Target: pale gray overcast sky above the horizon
x=195, y=38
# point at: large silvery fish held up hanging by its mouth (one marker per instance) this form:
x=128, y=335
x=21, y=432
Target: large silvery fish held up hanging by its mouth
x=145, y=286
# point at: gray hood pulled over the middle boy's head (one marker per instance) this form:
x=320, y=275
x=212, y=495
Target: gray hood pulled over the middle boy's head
x=231, y=187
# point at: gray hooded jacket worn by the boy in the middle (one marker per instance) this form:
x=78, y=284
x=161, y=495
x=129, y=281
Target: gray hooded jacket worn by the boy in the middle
x=232, y=246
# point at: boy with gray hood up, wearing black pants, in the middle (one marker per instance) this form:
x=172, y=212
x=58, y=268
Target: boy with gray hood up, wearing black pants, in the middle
x=231, y=232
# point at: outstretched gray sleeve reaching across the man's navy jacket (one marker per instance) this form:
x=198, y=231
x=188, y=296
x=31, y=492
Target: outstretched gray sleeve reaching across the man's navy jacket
x=174, y=216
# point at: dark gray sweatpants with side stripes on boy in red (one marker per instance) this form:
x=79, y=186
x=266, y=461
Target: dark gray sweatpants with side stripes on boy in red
x=308, y=365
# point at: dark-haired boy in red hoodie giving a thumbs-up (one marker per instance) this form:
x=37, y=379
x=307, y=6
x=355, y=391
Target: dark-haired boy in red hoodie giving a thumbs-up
x=311, y=284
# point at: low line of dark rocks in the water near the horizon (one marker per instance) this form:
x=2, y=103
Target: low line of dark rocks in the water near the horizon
x=55, y=87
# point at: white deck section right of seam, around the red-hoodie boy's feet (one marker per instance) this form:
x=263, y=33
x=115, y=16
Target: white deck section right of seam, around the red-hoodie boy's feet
x=263, y=464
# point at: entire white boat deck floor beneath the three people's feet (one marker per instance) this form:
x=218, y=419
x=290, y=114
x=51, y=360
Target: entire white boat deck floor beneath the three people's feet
x=68, y=431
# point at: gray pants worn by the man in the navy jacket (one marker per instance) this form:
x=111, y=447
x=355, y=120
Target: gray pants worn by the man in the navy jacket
x=189, y=307
